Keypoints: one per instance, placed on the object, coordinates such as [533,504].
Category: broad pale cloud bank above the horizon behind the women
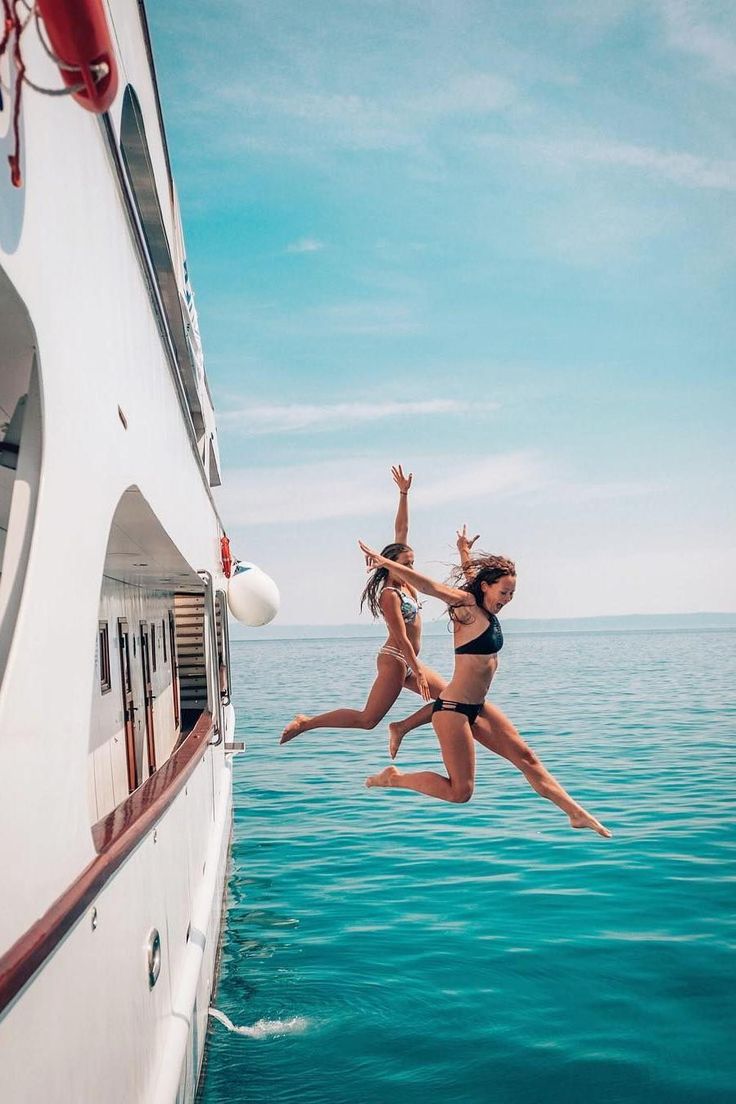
[575,553]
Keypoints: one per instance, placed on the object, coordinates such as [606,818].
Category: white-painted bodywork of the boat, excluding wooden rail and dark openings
[88,1028]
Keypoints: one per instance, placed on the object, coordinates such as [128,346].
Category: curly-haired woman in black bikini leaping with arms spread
[461,714]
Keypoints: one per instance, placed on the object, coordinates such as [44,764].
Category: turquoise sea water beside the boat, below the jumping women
[388,948]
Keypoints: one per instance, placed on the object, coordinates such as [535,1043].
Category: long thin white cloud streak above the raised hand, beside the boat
[266,419]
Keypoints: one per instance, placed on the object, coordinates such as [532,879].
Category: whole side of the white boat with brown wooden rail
[111,528]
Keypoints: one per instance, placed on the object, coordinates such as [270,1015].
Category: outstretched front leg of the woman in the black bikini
[495,731]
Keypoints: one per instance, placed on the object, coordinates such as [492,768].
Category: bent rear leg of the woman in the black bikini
[460,758]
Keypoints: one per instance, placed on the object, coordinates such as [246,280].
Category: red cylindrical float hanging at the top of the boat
[81,40]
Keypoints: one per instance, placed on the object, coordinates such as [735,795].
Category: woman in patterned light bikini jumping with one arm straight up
[398,665]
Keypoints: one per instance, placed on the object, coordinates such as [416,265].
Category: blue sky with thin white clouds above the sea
[493,242]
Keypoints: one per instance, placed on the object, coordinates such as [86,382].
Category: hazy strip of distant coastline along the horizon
[627,623]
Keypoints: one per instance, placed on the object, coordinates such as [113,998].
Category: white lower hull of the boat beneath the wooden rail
[90,1028]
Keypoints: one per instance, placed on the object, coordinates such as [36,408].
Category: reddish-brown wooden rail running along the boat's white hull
[115,837]
